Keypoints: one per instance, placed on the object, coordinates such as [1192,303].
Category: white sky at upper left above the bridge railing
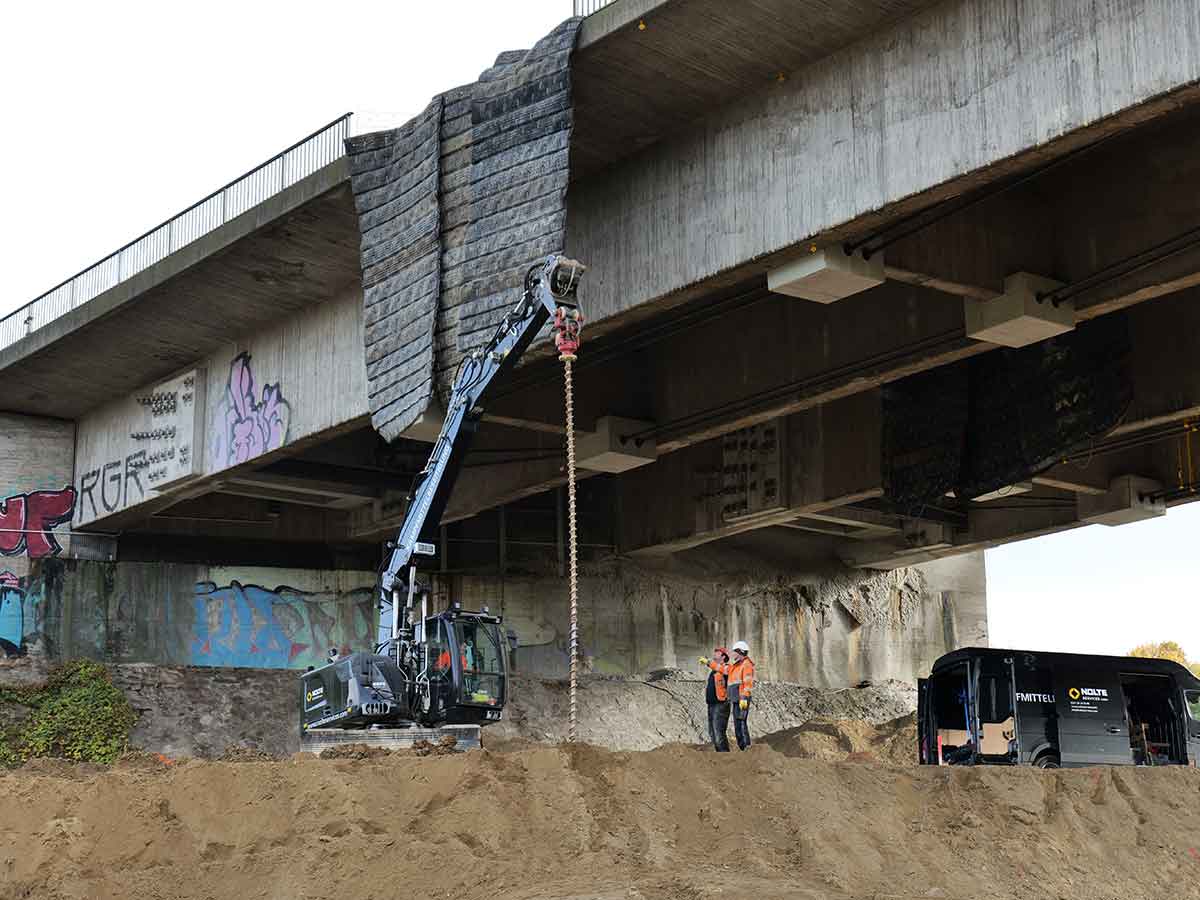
[117,116]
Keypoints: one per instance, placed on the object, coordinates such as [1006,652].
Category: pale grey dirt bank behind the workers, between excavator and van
[669,709]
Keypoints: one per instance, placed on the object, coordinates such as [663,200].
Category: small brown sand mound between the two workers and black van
[836,740]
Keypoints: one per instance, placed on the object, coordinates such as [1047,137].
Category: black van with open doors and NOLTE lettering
[983,706]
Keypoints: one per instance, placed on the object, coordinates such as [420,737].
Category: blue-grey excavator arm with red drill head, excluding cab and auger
[549,295]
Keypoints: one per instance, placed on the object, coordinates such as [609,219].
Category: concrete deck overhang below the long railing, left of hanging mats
[284,256]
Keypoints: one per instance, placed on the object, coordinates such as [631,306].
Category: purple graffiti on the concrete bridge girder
[249,425]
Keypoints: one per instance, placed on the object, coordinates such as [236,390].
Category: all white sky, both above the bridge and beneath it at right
[118,116]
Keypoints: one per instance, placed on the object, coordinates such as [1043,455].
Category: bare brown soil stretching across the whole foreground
[580,823]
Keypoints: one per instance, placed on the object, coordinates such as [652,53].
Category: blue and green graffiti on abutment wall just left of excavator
[285,628]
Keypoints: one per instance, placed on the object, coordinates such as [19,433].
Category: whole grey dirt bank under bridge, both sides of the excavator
[202,711]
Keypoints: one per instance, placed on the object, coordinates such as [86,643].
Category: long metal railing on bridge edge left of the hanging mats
[304,158]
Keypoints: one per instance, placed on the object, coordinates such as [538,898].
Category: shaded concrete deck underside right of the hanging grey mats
[694,57]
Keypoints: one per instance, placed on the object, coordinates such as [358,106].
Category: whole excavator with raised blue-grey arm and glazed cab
[443,669]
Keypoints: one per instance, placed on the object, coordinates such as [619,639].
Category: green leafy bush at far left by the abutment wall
[77,715]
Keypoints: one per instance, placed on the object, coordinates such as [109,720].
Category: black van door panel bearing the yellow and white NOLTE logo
[1093,724]
